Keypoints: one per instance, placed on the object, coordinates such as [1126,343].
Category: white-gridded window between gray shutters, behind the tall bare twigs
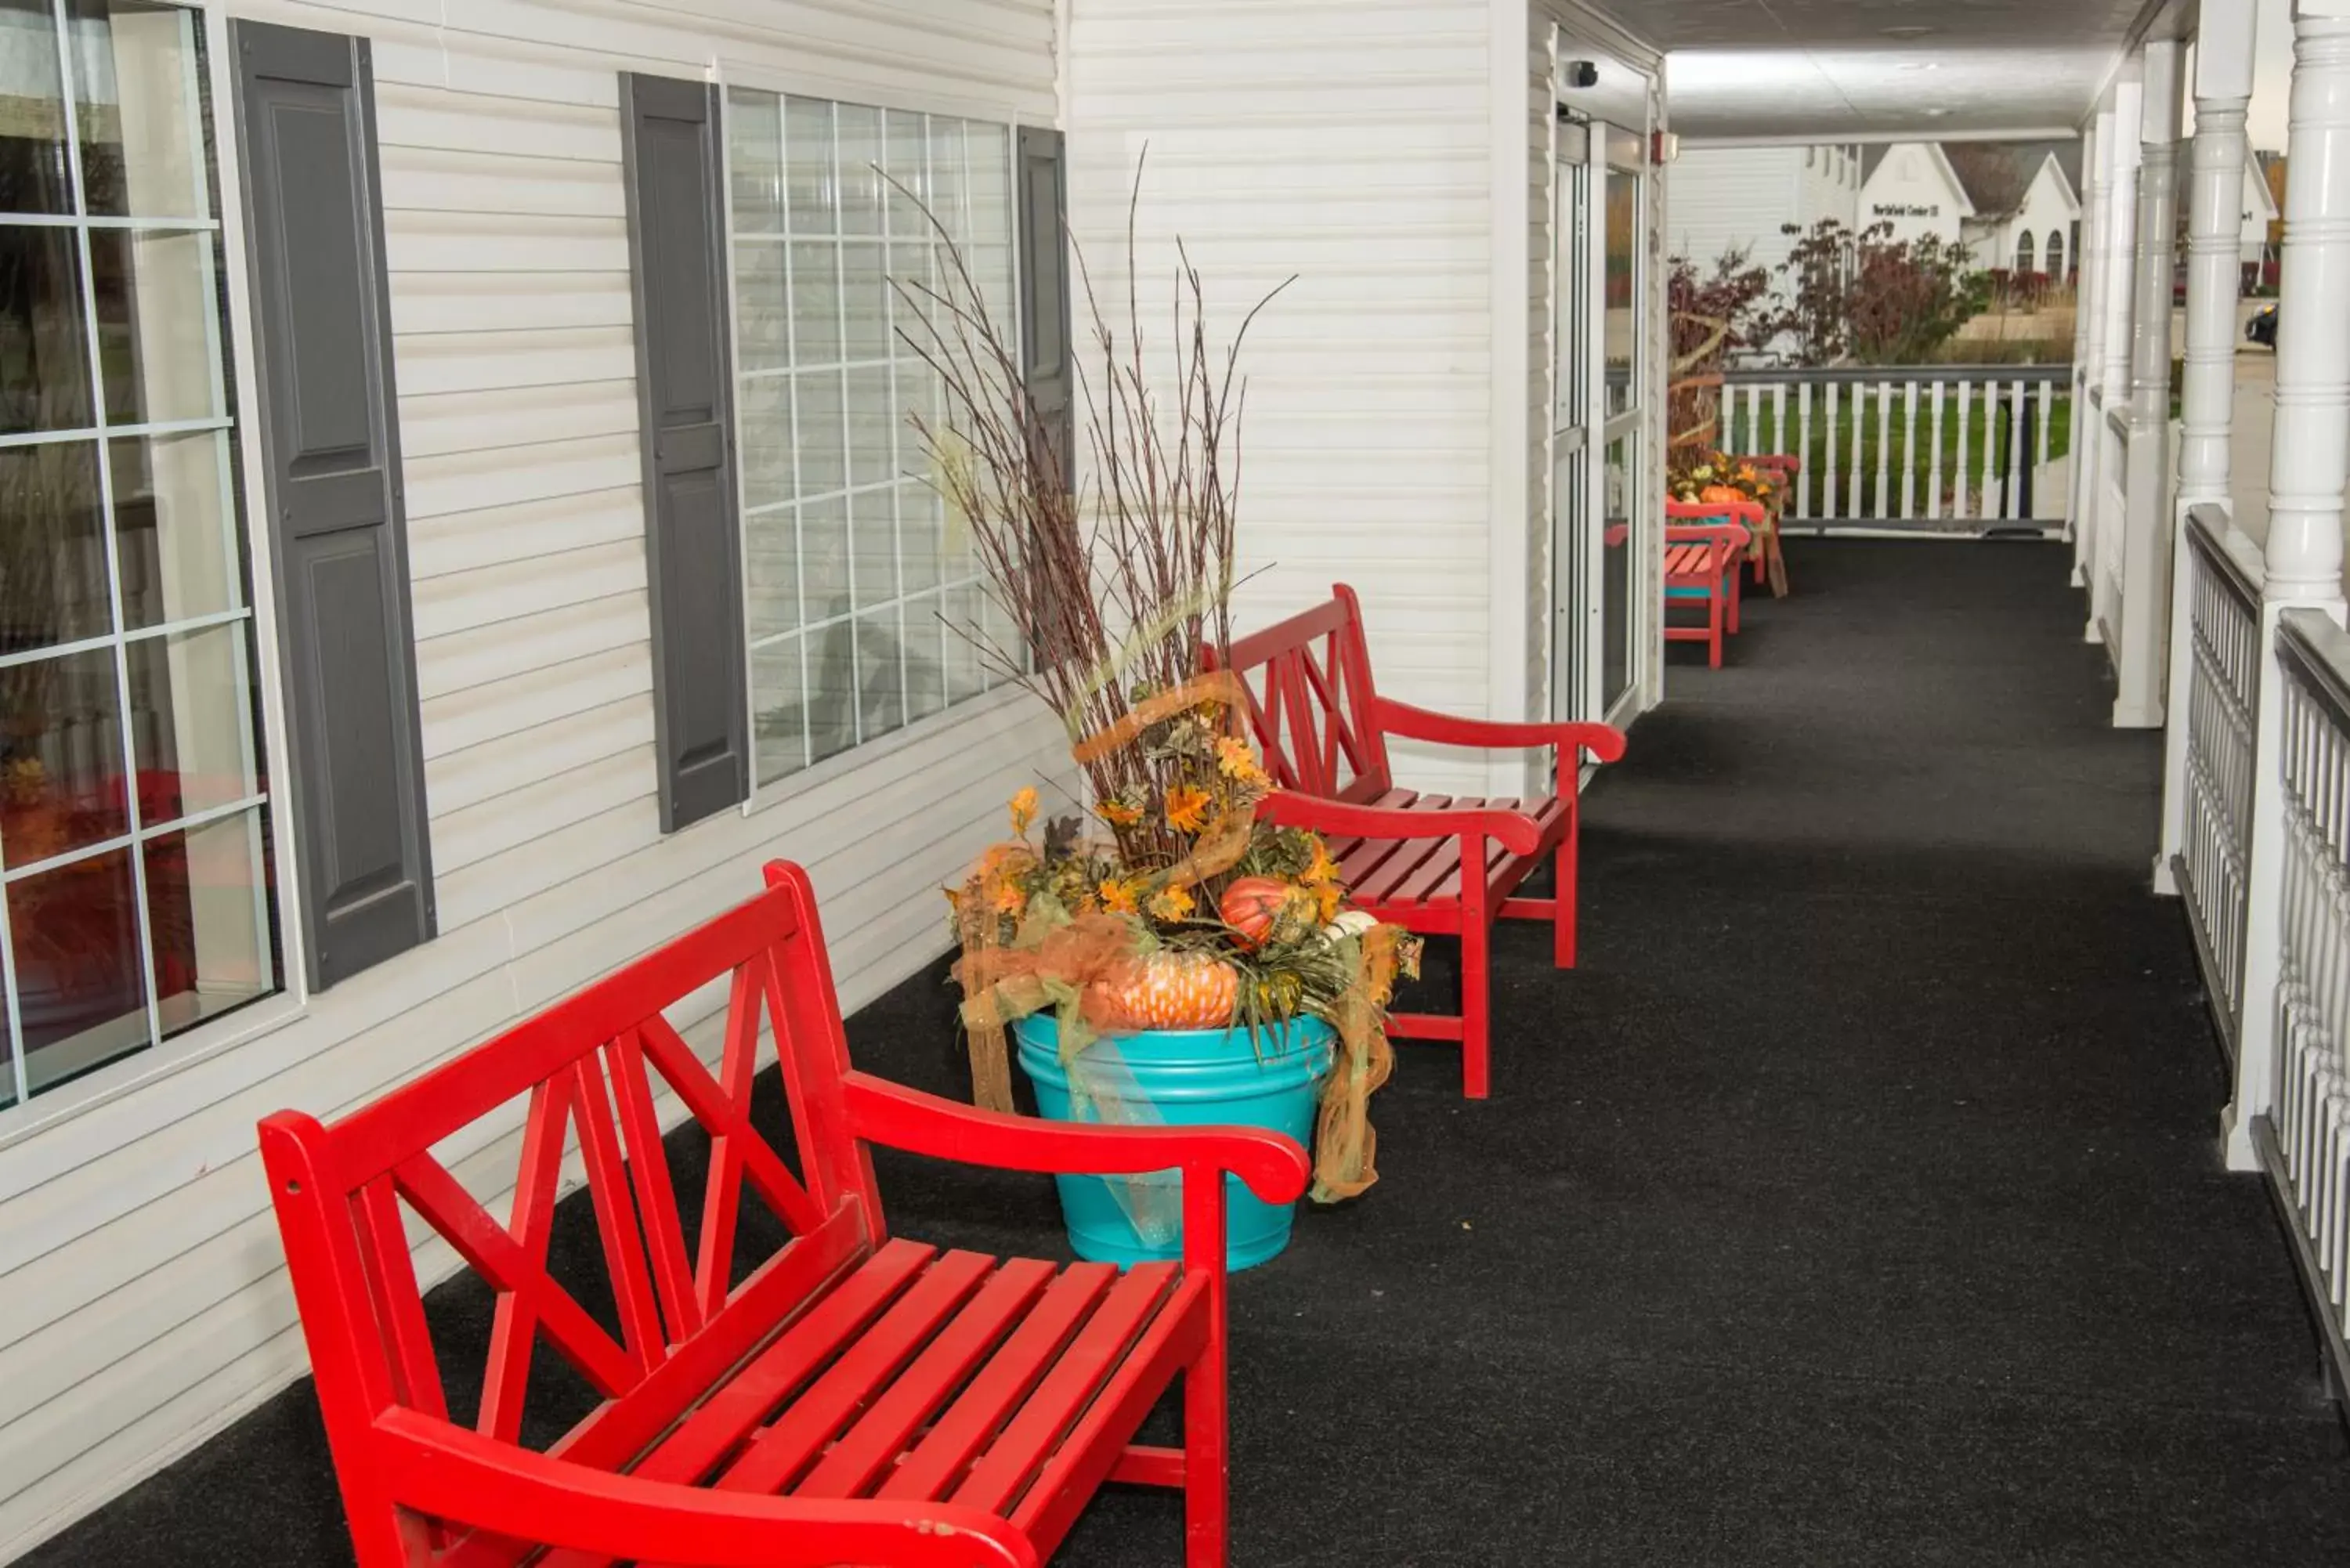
[857,577]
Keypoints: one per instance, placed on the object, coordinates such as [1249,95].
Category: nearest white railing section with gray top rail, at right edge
[2307,1137]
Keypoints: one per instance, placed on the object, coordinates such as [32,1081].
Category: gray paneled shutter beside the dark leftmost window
[337,532]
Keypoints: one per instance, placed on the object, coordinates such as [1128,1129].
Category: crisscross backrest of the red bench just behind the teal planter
[1310,702]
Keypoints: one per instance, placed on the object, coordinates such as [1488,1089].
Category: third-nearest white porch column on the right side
[2147,518]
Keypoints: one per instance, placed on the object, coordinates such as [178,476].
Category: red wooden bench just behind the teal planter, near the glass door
[1324,732]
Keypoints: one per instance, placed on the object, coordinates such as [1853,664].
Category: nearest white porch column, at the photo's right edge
[2307,474]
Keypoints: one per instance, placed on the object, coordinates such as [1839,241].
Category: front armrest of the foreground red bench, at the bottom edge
[471,1480]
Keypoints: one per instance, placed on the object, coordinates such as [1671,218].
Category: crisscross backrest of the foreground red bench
[586,1068]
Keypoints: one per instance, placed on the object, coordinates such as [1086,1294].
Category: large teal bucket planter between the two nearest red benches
[1193,1078]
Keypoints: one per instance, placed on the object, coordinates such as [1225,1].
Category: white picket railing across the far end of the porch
[1945,448]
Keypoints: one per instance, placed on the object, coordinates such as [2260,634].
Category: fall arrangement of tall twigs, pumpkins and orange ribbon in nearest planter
[1162,902]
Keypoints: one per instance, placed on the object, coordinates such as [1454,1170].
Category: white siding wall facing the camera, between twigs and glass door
[1355,149]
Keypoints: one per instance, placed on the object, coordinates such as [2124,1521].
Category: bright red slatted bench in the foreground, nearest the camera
[854,1400]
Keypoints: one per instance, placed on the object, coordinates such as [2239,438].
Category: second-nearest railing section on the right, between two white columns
[2224,692]
